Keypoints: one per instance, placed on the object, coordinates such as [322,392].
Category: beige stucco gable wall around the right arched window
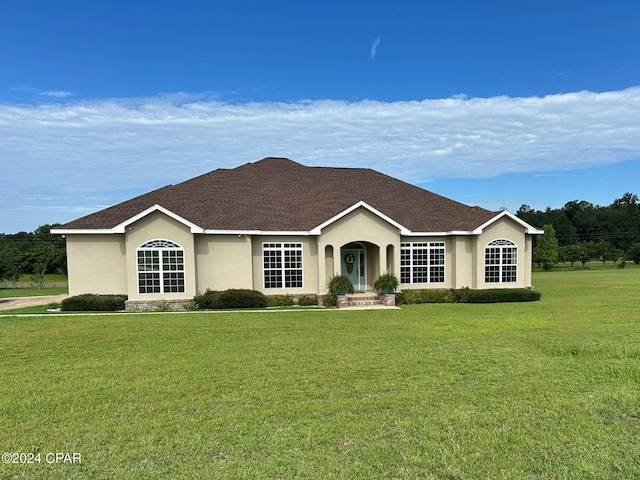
[505,228]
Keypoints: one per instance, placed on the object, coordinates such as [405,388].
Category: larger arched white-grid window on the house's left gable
[160,267]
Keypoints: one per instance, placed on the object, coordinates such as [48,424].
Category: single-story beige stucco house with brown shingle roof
[284,228]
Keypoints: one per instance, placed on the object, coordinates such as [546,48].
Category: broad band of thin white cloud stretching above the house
[86,148]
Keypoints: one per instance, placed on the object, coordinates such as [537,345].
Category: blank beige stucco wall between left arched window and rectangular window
[223,261]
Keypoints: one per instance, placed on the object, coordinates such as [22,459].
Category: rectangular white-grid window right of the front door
[422,262]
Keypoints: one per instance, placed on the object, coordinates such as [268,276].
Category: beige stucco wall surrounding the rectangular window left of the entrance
[309,264]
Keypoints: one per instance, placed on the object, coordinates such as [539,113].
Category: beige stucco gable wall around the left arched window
[159,226]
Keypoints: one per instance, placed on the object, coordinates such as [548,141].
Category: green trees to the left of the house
[35,254]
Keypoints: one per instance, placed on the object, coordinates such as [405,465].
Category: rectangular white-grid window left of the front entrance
[282,265]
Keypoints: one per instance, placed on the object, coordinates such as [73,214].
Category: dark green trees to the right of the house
[584,231]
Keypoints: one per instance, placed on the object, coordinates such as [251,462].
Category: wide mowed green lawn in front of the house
[506,391]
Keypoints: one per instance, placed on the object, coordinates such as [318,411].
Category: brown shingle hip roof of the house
[277,194]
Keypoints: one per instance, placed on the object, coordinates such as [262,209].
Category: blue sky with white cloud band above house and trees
[492,103]
